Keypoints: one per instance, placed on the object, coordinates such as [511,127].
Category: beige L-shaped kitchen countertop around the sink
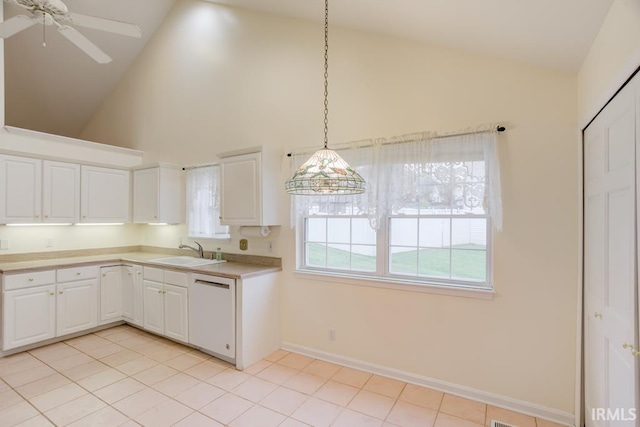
[232,270]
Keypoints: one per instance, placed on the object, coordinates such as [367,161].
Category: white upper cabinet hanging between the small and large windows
[250,187]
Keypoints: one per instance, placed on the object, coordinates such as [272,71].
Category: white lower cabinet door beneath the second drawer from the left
[77,306]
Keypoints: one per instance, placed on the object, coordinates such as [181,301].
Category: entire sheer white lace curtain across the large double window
[417,174]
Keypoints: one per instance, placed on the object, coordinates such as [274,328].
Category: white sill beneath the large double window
[402,285]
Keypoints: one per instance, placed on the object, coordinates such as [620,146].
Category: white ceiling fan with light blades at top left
[55,12]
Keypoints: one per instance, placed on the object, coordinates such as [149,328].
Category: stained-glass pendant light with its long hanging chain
[325,172]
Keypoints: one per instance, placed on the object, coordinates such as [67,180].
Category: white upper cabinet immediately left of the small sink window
[158,195]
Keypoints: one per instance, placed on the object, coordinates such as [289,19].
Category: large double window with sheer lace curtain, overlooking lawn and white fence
[425,219]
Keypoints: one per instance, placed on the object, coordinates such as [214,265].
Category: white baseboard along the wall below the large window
[522,407]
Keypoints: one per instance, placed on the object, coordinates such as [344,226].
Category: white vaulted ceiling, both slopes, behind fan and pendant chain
[57,89]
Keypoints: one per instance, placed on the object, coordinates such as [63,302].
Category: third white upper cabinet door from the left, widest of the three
[104,195]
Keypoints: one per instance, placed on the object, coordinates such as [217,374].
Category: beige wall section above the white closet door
[614,55]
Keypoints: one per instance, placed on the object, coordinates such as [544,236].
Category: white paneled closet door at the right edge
[610,283]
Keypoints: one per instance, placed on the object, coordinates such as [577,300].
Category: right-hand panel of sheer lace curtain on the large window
[449,175]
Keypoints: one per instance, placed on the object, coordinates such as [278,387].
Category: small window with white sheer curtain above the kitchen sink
[203,203]
